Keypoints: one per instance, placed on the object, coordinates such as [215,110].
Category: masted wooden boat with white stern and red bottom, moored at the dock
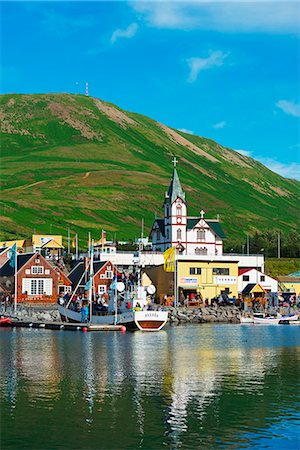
[124,307]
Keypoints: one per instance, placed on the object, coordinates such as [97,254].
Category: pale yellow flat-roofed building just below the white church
[206,278]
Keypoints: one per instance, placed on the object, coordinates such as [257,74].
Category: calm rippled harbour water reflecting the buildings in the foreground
[202,387]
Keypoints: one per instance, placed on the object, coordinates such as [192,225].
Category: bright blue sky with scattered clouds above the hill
[228,71]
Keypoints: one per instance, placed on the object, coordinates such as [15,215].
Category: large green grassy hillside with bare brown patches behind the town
[71,160]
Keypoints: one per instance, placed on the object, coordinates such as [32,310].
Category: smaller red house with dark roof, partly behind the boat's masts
[104,272]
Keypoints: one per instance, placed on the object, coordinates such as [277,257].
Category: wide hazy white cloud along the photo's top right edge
[234,16]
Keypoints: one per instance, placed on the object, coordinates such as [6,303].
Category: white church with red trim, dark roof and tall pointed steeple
[190,235]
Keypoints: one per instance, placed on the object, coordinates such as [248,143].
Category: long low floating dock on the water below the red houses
[63,326]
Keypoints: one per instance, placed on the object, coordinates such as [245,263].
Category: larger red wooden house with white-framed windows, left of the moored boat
[37,280]
